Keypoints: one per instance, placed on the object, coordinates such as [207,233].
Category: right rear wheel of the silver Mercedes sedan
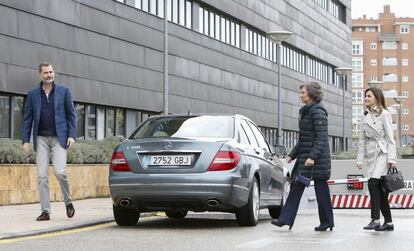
[249,214]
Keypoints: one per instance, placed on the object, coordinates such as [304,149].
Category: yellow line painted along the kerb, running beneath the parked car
[65,232]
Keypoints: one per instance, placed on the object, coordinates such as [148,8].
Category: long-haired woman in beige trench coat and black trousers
[376,145]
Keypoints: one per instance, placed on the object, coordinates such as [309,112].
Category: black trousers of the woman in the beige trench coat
[379,200]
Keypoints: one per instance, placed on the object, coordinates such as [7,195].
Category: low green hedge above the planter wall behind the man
[83,152]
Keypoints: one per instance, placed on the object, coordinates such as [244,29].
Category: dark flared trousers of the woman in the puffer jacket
[323,198]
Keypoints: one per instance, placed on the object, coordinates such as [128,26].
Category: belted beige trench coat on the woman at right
[376,143]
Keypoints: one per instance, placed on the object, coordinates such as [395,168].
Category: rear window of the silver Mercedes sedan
[187,127]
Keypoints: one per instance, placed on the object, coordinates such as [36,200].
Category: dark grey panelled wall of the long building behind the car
[111,54]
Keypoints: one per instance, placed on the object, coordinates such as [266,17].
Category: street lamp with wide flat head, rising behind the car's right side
[278,37]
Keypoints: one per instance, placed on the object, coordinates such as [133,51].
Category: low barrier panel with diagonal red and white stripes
[363,201]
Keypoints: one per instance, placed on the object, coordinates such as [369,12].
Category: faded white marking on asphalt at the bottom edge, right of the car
[263,242]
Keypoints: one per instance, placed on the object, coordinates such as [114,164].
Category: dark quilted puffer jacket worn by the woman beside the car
[313,143]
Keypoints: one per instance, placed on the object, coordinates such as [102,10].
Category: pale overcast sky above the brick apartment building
[401,8]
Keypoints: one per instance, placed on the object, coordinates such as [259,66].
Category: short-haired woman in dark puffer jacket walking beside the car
[313,159]
